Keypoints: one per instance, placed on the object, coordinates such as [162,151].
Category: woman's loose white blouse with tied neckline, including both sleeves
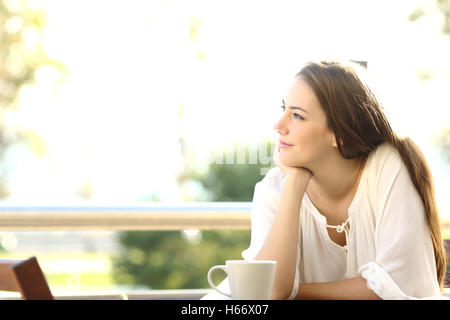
[388,242]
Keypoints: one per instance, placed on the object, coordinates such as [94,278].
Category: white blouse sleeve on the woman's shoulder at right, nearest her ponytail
[404,267]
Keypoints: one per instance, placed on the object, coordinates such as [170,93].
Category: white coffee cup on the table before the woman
[249,279]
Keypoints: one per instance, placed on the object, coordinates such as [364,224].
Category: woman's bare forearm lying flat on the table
[348,289]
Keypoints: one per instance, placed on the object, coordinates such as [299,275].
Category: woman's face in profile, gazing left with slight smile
[303,125]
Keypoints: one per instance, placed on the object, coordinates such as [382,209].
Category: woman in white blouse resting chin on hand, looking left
[349,211]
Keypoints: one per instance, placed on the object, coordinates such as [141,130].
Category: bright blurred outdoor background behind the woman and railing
[131,101]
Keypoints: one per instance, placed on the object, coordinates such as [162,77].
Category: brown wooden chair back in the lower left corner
[26,277]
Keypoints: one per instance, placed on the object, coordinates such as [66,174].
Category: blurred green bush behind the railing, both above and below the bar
[172,260]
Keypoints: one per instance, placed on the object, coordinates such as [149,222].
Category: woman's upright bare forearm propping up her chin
[281,242]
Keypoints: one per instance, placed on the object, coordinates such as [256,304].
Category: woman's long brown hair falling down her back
[360,125]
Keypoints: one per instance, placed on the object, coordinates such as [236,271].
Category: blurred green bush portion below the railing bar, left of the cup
[169,260]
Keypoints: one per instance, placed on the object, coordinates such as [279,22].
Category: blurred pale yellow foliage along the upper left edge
[21,55]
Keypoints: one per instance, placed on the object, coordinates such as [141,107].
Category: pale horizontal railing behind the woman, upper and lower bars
[149,216]
